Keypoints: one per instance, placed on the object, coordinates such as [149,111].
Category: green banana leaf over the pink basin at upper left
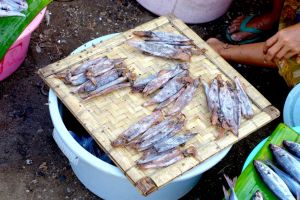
[12,27]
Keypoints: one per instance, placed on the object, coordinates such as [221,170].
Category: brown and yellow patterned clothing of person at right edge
[289,69]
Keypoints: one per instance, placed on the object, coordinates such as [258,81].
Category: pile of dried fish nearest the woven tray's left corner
[97,77]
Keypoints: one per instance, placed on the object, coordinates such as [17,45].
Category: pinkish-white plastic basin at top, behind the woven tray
[190,11]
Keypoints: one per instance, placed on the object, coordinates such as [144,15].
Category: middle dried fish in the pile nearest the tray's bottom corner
[164,133]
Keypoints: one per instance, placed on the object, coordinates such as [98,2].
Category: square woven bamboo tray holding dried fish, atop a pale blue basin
[106,117]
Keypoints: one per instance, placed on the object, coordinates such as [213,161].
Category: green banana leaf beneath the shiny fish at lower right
[249,181]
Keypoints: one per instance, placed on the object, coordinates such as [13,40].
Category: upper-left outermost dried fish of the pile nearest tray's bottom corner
[138,128]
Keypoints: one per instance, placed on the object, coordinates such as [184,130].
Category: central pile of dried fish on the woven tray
[176,85]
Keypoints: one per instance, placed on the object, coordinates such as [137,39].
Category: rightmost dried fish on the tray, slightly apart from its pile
[246,105]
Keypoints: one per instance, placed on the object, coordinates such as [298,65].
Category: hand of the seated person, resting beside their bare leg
[284,44]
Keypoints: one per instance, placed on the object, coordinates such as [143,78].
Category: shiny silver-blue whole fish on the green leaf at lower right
[284,180]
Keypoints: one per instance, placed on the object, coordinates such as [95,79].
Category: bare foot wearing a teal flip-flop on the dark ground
[263,22]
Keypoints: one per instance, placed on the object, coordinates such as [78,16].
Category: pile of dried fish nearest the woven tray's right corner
[227,104]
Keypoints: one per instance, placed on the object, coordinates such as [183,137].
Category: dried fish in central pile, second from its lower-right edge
[170,88]
